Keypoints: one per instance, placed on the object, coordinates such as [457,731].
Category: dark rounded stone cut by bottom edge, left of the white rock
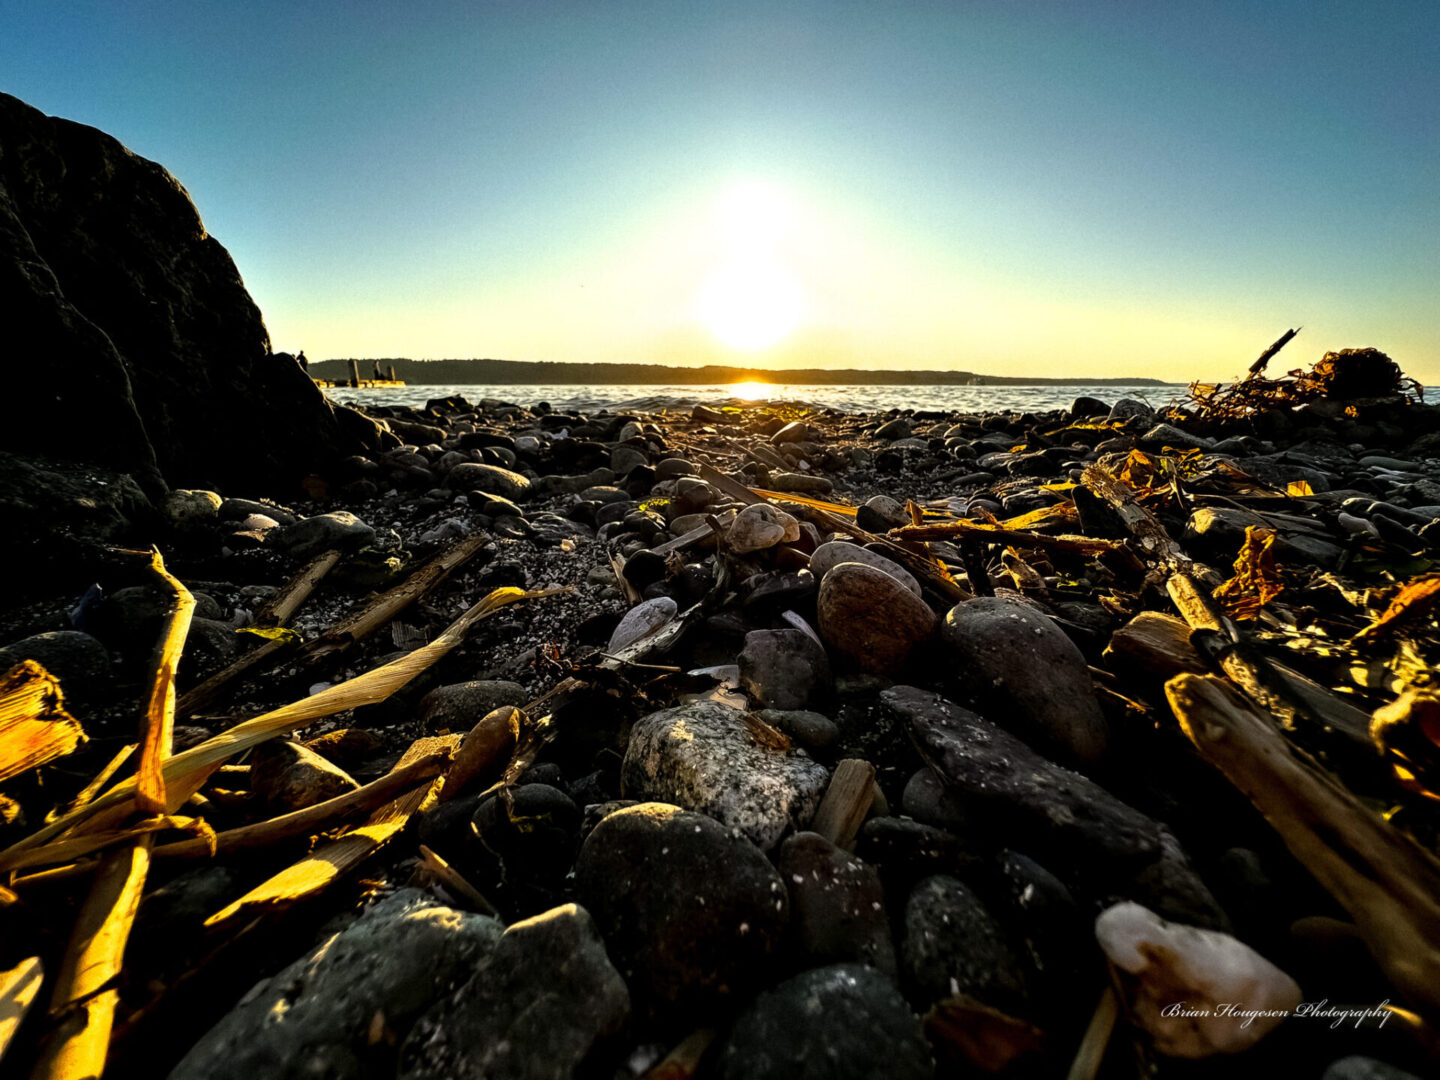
[842,1023]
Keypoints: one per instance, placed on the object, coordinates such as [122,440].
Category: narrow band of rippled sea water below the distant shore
[842,398]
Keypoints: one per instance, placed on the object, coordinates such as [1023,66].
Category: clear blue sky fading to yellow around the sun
[1091,188]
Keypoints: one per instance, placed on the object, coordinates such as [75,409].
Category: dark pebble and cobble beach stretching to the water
[758,787]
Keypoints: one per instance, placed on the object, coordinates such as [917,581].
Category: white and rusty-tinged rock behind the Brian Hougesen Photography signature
[1199,993]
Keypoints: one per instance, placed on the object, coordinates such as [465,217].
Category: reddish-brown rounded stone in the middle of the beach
[872,618]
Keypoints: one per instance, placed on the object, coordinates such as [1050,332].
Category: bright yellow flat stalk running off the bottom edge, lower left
[86,996]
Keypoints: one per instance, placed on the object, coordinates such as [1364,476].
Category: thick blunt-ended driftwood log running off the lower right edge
[1389,885]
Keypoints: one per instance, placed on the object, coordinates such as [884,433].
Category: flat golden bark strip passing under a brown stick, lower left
[323,868]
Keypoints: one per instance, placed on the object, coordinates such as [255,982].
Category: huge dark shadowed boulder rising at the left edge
[133,341]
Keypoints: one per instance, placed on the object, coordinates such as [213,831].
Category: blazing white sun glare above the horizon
[752,300]
